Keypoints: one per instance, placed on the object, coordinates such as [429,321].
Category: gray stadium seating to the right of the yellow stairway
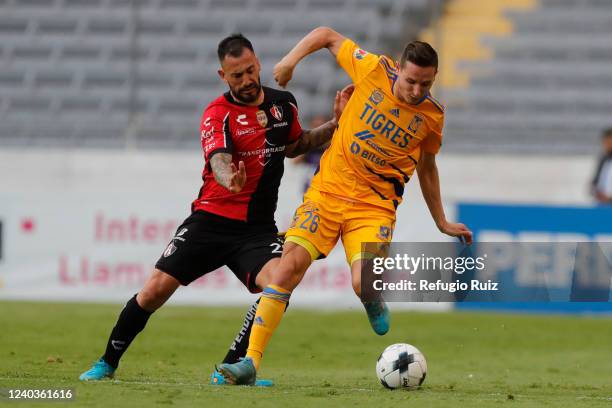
[548,88]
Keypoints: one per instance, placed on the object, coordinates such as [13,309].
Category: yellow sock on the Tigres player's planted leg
[269,314]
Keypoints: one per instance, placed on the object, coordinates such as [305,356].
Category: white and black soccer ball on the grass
[401,366]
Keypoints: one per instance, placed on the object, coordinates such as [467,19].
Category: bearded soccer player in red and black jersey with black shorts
[246,134]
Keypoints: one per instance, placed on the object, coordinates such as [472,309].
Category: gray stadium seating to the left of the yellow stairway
[138,73]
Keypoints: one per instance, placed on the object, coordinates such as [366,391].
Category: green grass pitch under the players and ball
[316,358]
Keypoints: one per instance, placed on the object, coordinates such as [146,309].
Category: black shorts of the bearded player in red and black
[206,242]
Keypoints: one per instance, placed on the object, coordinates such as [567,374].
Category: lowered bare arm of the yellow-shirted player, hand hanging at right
[429,180]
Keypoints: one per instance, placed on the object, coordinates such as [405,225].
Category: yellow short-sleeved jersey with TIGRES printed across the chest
[379,139]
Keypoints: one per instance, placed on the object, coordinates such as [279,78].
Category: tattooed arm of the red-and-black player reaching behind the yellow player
[314,138]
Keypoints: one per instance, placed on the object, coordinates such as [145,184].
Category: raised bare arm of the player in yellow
[320,37]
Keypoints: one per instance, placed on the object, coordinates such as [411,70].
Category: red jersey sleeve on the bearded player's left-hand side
[215,132]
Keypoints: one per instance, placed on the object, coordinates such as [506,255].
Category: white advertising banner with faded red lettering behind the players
[90,225]
